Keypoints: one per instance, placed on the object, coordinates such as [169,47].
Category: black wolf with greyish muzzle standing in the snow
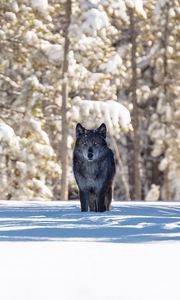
[94,168]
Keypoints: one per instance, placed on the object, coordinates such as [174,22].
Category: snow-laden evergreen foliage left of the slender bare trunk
[28,161]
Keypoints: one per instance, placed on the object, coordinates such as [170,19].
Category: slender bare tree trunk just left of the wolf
[64,126]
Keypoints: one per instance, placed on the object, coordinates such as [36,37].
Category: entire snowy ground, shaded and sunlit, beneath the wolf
[50,250]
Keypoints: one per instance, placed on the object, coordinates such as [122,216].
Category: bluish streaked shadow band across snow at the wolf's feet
[123,224]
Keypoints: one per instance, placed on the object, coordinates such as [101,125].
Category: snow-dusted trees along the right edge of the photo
[163,129]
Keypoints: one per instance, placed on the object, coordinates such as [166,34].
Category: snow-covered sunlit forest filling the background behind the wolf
[89,61]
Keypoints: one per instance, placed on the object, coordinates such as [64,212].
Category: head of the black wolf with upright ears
[91,143]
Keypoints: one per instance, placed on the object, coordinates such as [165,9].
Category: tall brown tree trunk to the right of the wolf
[135,116]
